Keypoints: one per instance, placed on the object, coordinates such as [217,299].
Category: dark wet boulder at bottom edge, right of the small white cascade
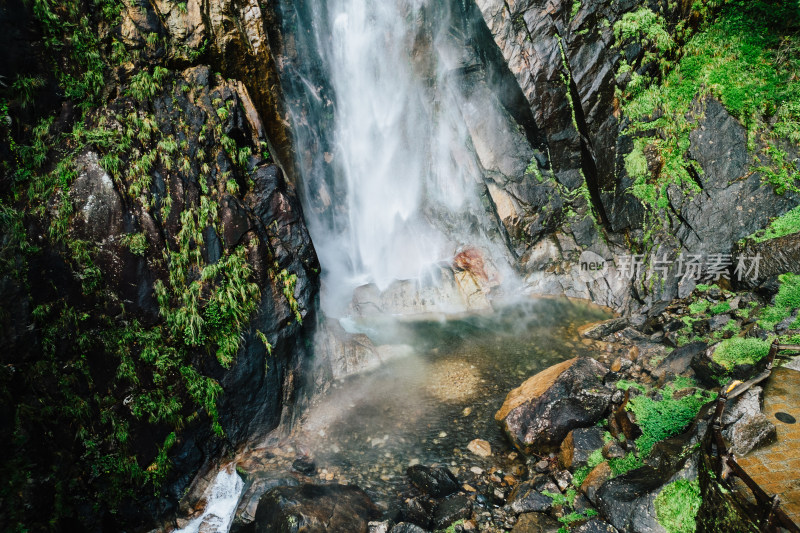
[315,509]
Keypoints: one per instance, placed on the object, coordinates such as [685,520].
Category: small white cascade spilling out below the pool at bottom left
[222,497]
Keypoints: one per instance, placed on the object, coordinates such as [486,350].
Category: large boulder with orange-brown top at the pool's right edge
[540,413]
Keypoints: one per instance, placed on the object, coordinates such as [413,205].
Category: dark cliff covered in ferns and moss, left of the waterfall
[157,277]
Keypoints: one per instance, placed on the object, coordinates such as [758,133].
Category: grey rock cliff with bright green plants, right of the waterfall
[668,131]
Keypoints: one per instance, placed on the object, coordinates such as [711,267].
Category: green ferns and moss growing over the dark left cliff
[108,383]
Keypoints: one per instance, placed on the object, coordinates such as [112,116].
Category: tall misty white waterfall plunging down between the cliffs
[397,135]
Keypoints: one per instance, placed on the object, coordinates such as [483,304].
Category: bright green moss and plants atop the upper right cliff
[748,57]
